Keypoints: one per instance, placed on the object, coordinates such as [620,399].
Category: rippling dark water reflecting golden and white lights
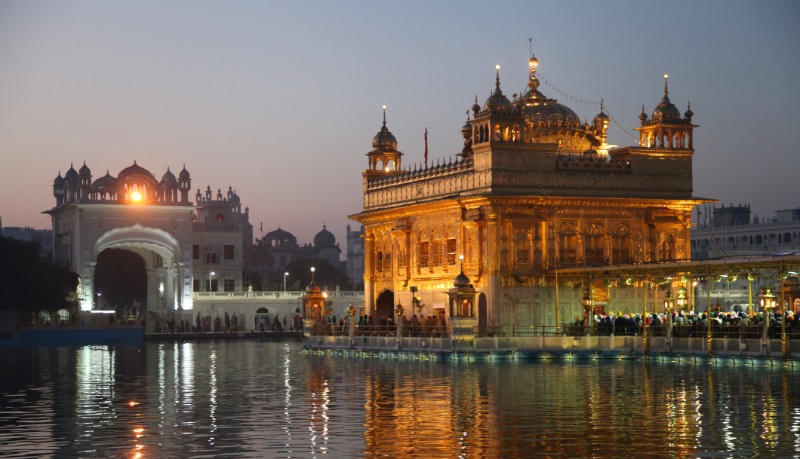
[267,399]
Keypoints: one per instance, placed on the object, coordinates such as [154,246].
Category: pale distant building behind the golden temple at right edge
[728,232]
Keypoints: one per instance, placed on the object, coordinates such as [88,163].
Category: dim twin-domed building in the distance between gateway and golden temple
[277,249]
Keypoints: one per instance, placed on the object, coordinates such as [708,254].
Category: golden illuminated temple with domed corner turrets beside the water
[533,190]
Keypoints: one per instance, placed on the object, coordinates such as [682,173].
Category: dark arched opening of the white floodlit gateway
[121,284]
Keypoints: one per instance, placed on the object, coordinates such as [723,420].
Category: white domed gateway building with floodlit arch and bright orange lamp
[184,247]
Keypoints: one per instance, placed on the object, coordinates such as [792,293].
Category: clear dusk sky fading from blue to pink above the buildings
[281,100]
